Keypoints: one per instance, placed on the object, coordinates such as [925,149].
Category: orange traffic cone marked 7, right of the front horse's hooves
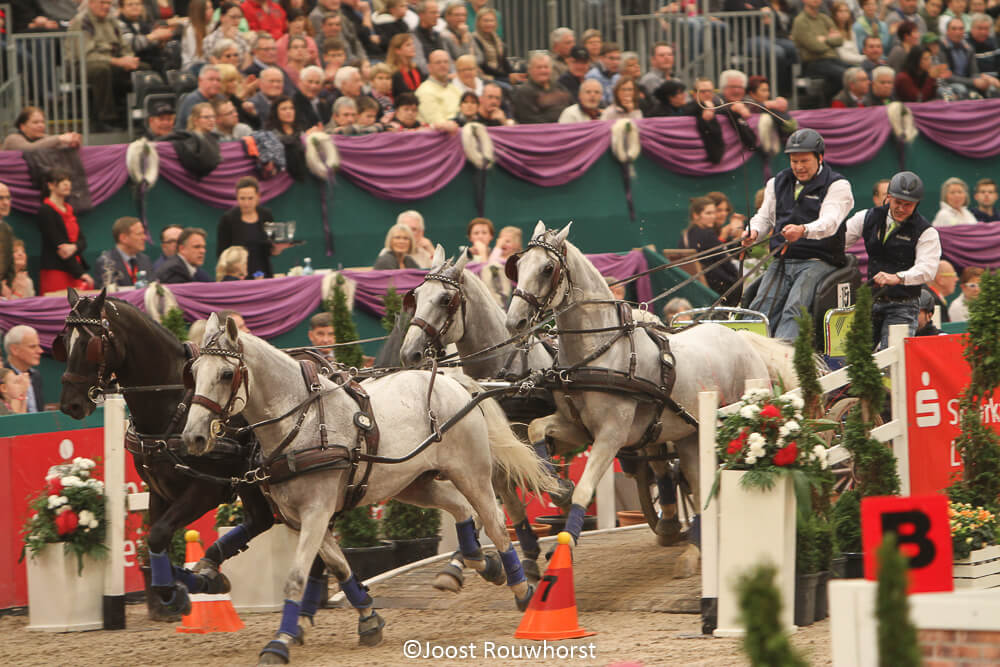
[552,612]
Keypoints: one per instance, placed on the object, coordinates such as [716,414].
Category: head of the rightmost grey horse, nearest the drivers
[540,272]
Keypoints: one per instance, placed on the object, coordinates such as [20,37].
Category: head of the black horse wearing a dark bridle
[92,349]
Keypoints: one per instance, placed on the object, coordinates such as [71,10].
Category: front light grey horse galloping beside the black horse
[305,411]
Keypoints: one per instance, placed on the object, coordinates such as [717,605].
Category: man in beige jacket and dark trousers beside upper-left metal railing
[109,60]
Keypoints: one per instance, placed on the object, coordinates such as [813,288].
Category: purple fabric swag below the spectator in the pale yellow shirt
[401,166]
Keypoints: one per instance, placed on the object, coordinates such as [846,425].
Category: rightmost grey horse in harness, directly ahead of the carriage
[552,273]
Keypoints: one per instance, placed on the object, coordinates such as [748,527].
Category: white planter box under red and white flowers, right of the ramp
[755,527]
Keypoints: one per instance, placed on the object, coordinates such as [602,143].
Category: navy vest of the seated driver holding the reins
[791,211]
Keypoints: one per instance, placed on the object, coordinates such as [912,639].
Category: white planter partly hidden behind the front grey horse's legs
[258,574]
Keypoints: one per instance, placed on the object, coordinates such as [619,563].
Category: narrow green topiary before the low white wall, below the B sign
[897,636]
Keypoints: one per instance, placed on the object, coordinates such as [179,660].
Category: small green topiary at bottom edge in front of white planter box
[765,643]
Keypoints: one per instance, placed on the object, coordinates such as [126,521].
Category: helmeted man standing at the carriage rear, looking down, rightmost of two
[903,253]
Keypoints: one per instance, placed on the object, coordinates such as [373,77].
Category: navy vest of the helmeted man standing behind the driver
[897,253]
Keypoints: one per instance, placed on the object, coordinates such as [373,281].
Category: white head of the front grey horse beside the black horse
[220,381]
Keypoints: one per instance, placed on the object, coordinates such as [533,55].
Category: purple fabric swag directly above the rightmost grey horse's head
[545,157]
